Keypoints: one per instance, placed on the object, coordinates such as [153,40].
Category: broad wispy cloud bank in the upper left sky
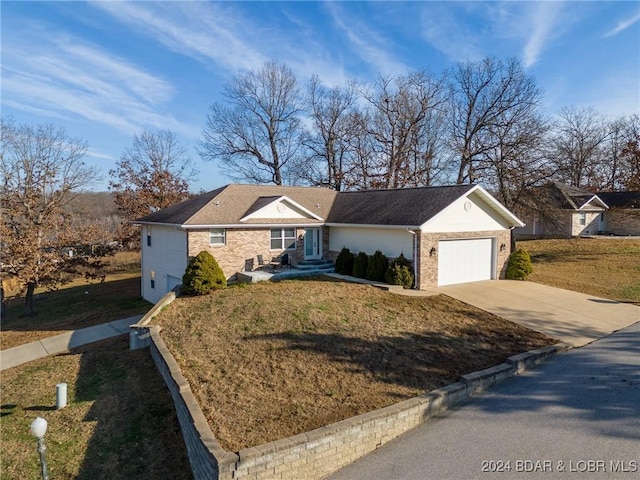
[61,76]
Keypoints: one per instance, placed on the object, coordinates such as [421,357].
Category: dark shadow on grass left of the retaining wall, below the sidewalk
[136,433]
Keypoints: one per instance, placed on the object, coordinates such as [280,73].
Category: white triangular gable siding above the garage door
[477,216]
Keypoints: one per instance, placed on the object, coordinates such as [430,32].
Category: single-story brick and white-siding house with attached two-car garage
[452,234]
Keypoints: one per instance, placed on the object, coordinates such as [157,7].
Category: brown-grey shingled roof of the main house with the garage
[227,205]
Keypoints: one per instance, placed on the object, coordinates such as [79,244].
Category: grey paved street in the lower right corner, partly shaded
[576,416]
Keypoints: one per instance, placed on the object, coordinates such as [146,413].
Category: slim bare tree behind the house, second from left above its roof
[329,141]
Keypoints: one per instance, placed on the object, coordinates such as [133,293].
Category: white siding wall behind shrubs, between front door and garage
[391,242]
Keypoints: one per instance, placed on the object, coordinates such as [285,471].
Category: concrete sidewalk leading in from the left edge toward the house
[15,356]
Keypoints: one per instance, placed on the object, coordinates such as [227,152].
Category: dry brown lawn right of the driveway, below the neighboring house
[608,268]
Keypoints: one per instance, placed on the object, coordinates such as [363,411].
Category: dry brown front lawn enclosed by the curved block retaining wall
[271,360]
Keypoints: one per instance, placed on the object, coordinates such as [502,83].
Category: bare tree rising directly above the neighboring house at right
[577,147]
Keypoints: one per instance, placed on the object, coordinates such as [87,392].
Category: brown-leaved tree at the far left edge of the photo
[42,171]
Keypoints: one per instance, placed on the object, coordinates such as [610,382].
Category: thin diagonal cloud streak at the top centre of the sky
[372,47]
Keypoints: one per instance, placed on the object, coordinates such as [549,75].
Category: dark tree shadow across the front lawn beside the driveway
[421,361]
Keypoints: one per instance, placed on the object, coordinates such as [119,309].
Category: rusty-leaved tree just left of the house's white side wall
[153,173]
